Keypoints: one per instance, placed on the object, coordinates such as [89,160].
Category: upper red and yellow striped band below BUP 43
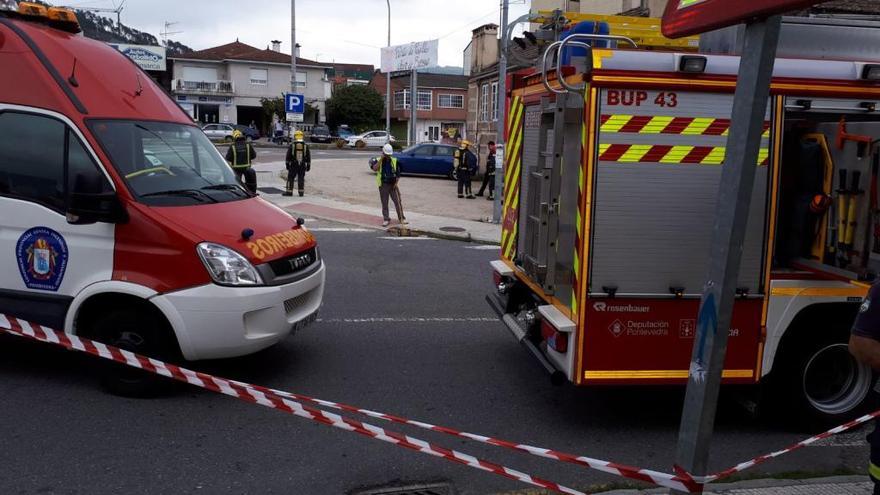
[665,124]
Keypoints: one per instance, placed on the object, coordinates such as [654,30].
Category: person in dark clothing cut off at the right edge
[864,344]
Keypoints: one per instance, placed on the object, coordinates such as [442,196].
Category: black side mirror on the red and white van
[92,203]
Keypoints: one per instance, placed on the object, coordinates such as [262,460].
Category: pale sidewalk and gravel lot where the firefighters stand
[344,190]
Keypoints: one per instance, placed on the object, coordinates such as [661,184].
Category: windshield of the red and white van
[167,164]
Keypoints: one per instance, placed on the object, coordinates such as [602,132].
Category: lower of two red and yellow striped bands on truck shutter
[647,153]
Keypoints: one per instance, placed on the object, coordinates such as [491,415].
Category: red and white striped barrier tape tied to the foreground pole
[277,399]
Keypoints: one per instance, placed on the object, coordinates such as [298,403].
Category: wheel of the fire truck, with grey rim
[823,382]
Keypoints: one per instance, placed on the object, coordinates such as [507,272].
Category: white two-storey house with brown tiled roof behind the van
[226,83]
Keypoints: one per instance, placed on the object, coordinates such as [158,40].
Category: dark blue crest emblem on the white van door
[42,258]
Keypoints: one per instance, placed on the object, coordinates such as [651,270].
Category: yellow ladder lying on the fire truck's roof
[643,30]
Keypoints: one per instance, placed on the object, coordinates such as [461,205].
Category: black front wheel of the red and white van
[137,330]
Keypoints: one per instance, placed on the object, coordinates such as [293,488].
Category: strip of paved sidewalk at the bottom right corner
[835,485]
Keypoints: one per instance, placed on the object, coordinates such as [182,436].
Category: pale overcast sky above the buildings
[329,30]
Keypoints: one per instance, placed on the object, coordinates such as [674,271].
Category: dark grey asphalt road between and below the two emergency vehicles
[59,433]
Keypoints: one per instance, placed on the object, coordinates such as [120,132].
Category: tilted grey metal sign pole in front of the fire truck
[731,215]
